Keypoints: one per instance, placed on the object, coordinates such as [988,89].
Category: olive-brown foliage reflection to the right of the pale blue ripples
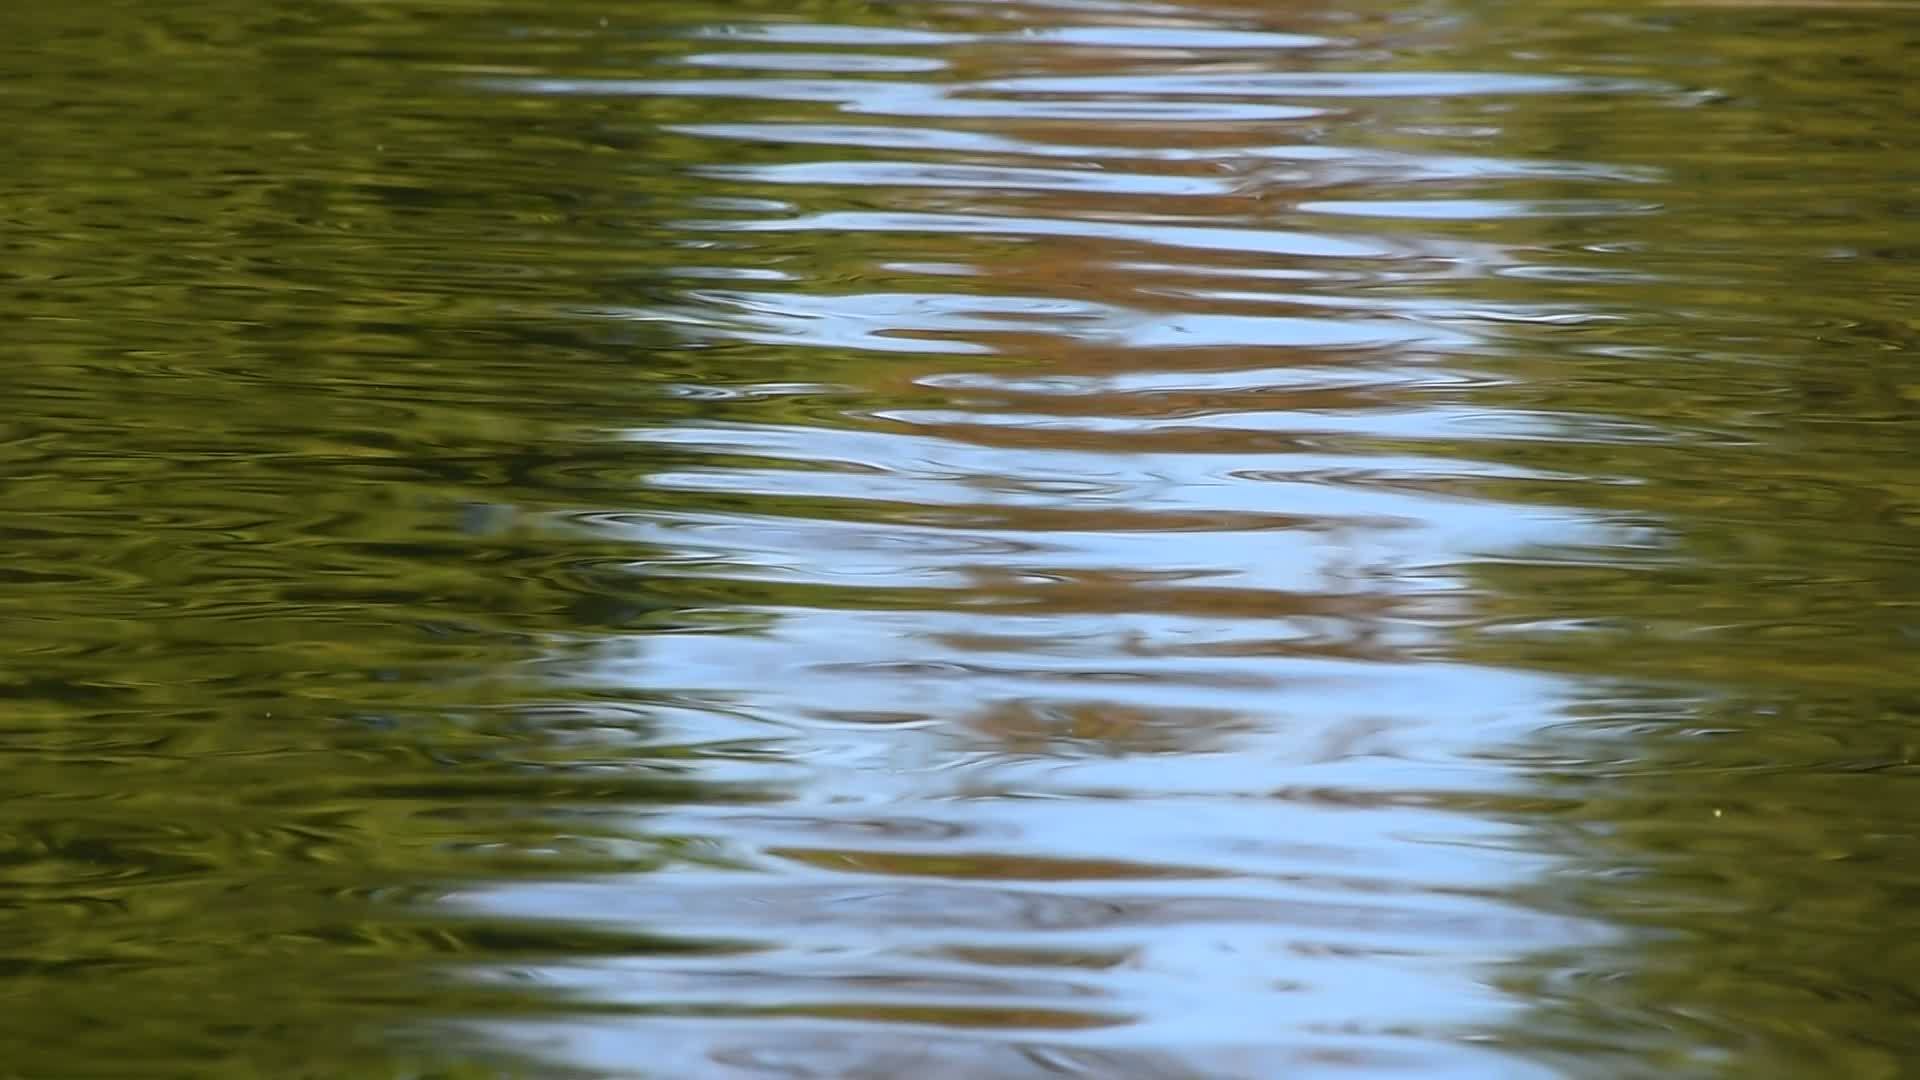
[1735,795]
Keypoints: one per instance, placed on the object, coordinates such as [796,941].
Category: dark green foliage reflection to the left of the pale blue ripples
[297,416]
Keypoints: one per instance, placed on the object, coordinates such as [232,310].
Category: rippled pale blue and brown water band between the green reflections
[1105,601]
